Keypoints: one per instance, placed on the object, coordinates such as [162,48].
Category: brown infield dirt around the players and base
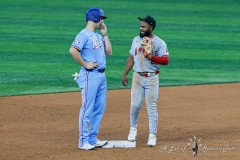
[46,126]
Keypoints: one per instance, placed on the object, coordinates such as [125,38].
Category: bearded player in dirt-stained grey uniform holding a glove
[147,53]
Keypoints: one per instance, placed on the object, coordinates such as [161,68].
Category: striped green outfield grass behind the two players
[35,36]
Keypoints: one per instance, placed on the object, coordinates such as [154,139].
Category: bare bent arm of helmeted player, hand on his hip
[78,58]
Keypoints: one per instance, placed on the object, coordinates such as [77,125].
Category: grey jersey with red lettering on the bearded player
[142,64]
